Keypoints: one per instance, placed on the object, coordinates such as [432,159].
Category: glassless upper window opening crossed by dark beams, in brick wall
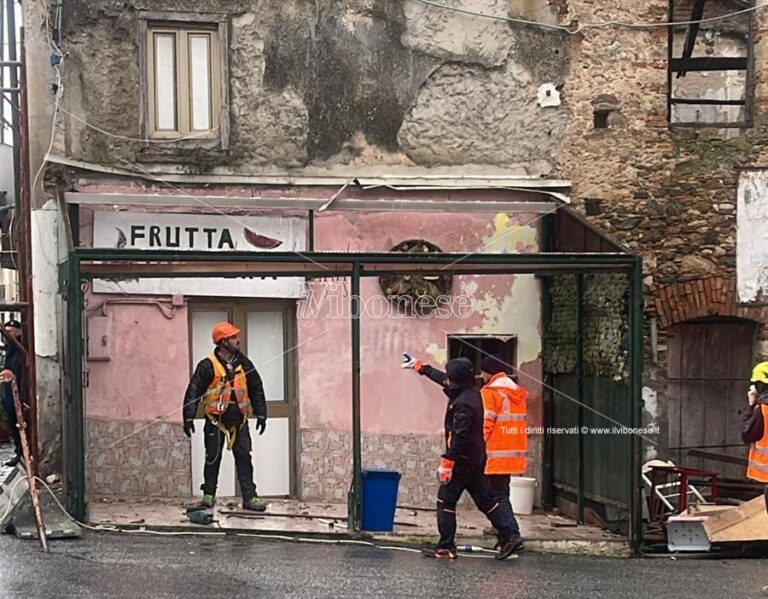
[710,72]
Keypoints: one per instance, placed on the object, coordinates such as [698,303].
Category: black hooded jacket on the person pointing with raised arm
[464,414]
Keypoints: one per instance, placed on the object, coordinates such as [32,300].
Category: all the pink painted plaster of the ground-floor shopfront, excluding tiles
[150,367]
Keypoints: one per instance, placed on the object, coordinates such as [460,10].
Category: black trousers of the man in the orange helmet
[215,445]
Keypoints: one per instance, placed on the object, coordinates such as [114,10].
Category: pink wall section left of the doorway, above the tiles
[149,370]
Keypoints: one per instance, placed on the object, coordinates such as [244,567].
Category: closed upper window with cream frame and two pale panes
[183,78]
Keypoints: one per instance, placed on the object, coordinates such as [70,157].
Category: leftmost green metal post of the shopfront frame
[74,435]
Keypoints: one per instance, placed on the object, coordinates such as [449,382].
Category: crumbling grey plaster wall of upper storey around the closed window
[327,85]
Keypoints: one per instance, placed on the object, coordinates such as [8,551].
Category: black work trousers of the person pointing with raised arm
[471,478]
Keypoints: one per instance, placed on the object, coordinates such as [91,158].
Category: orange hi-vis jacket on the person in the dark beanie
[506,441]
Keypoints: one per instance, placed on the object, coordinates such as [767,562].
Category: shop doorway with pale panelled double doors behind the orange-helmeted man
[268,331]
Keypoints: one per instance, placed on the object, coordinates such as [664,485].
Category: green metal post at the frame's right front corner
[636,330]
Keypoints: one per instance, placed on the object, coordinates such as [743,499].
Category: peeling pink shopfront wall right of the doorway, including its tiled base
[402,413]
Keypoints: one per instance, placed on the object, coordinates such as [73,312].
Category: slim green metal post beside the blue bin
[354,502]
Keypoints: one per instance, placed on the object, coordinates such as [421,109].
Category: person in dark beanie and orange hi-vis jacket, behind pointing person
[504,427]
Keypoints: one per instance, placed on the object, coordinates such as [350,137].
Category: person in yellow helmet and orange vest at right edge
[755,430]
